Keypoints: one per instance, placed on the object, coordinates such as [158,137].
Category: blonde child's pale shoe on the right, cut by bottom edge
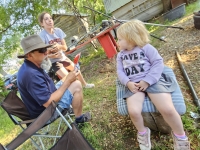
[180,144]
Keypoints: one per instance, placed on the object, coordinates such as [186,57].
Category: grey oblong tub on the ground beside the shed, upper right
[175,13]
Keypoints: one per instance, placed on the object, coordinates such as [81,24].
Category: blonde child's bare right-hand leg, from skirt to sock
[163,103]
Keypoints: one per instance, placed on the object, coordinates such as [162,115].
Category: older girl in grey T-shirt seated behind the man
[55,36]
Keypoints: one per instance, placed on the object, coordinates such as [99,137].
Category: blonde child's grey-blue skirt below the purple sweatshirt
[165,84]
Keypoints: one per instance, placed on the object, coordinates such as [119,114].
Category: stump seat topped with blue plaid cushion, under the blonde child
[152,118]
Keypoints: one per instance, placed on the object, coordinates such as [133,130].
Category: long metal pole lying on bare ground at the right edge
[194,95]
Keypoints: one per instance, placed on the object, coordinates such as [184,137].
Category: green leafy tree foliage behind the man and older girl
[19,19]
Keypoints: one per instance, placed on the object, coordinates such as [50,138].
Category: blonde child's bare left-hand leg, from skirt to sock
[134,104]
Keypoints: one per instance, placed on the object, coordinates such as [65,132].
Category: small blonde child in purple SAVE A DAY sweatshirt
[139,67]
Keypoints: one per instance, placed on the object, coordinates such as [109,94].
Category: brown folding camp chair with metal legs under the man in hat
[13,105]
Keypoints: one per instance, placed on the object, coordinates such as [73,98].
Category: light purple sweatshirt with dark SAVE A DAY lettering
[139,64]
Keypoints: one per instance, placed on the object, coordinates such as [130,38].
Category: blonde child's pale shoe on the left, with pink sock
[144,140]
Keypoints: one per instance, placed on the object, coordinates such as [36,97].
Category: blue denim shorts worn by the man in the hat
[66,99]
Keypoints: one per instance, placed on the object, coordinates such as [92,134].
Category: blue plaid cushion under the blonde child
[148,106]
